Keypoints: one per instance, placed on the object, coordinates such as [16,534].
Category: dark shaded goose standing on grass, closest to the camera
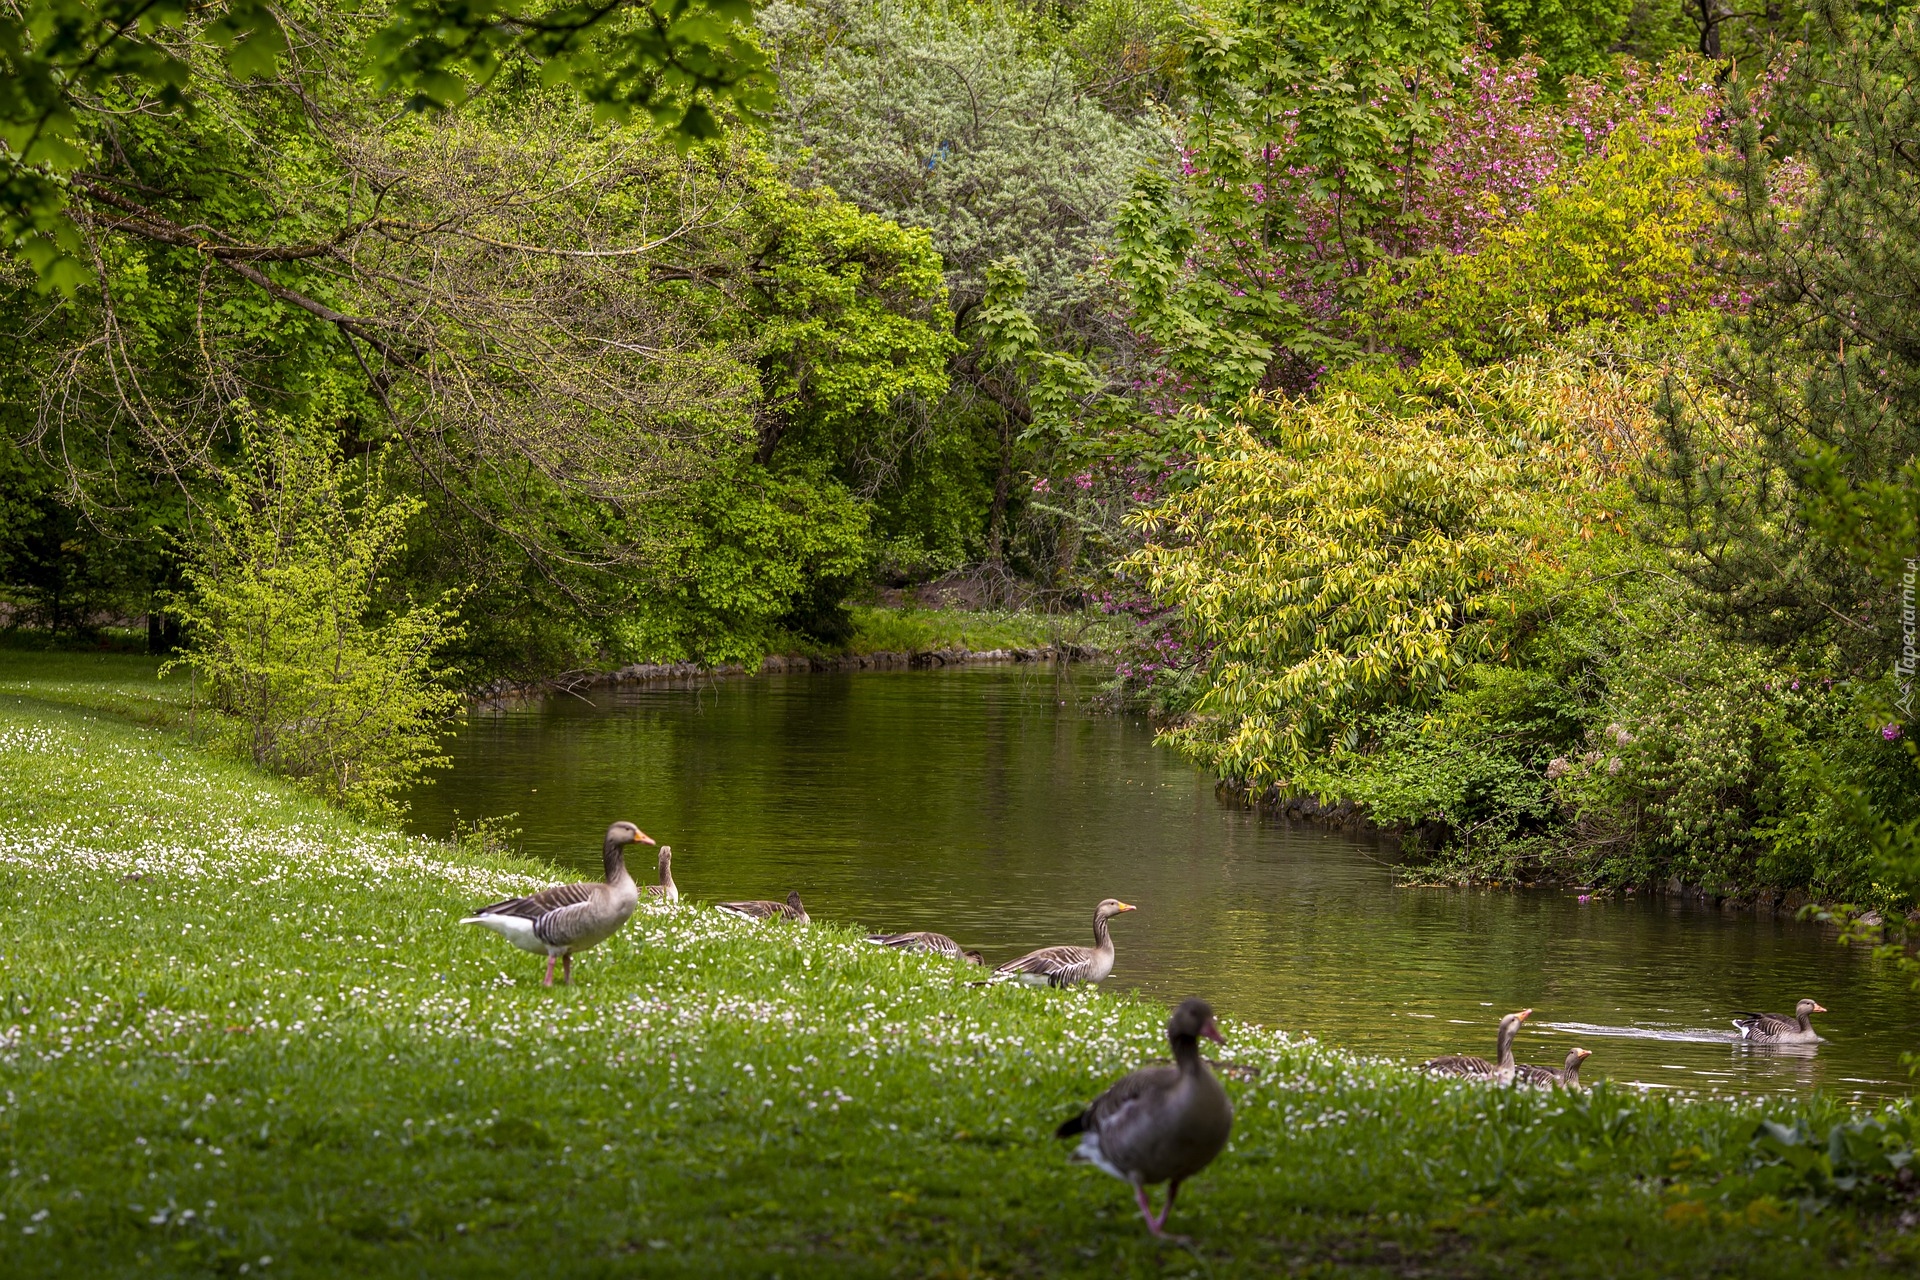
[1159,1124]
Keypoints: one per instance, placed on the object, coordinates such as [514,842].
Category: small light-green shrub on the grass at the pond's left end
[308,675]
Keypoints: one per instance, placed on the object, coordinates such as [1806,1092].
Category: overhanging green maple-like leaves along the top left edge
[70,66]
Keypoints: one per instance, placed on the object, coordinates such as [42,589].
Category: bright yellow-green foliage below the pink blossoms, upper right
[1612,241]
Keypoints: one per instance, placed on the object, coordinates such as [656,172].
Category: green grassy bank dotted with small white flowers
[241,1028]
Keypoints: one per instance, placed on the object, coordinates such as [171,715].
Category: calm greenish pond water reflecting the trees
[997,807]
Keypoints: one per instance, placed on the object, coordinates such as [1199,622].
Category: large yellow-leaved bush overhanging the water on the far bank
[1343,556]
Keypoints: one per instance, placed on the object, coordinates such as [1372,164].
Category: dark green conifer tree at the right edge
[1798,527]
